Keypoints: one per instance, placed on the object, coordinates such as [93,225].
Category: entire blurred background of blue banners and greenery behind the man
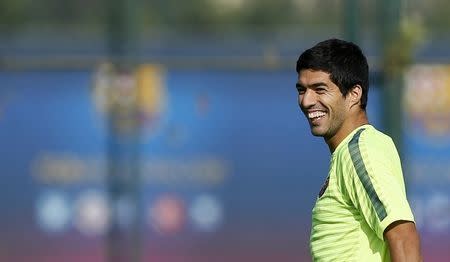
[170,130]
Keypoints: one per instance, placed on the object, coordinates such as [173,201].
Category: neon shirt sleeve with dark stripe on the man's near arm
[375,183]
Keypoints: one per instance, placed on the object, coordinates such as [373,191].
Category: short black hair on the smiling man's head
[344,61]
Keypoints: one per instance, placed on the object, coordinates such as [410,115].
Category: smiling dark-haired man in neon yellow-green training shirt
[361,213]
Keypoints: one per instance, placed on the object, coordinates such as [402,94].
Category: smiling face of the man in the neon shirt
[322,103]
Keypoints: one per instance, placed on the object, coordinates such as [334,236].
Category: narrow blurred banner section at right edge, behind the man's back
[427,155]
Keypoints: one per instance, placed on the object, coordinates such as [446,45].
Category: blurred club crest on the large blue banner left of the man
[133,100]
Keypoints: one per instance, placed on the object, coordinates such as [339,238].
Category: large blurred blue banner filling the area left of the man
[228,170]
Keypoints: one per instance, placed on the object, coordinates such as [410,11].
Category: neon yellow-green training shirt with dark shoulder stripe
[363,194]
